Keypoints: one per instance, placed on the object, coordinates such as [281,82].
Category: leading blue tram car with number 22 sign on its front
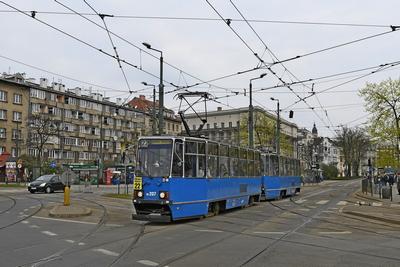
[186,177]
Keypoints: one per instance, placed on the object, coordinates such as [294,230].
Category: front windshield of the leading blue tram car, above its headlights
[154,157]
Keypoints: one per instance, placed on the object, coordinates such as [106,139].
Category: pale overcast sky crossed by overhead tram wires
[196,41]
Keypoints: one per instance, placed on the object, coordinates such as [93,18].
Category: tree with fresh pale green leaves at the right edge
[383,102]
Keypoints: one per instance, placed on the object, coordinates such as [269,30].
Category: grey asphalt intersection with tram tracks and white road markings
[307,230]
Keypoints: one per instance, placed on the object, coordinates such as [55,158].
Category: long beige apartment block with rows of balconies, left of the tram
[79,126]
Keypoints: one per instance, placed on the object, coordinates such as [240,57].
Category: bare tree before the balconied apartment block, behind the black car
[42,129]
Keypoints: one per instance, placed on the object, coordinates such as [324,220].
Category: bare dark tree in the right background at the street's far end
[354,144]
